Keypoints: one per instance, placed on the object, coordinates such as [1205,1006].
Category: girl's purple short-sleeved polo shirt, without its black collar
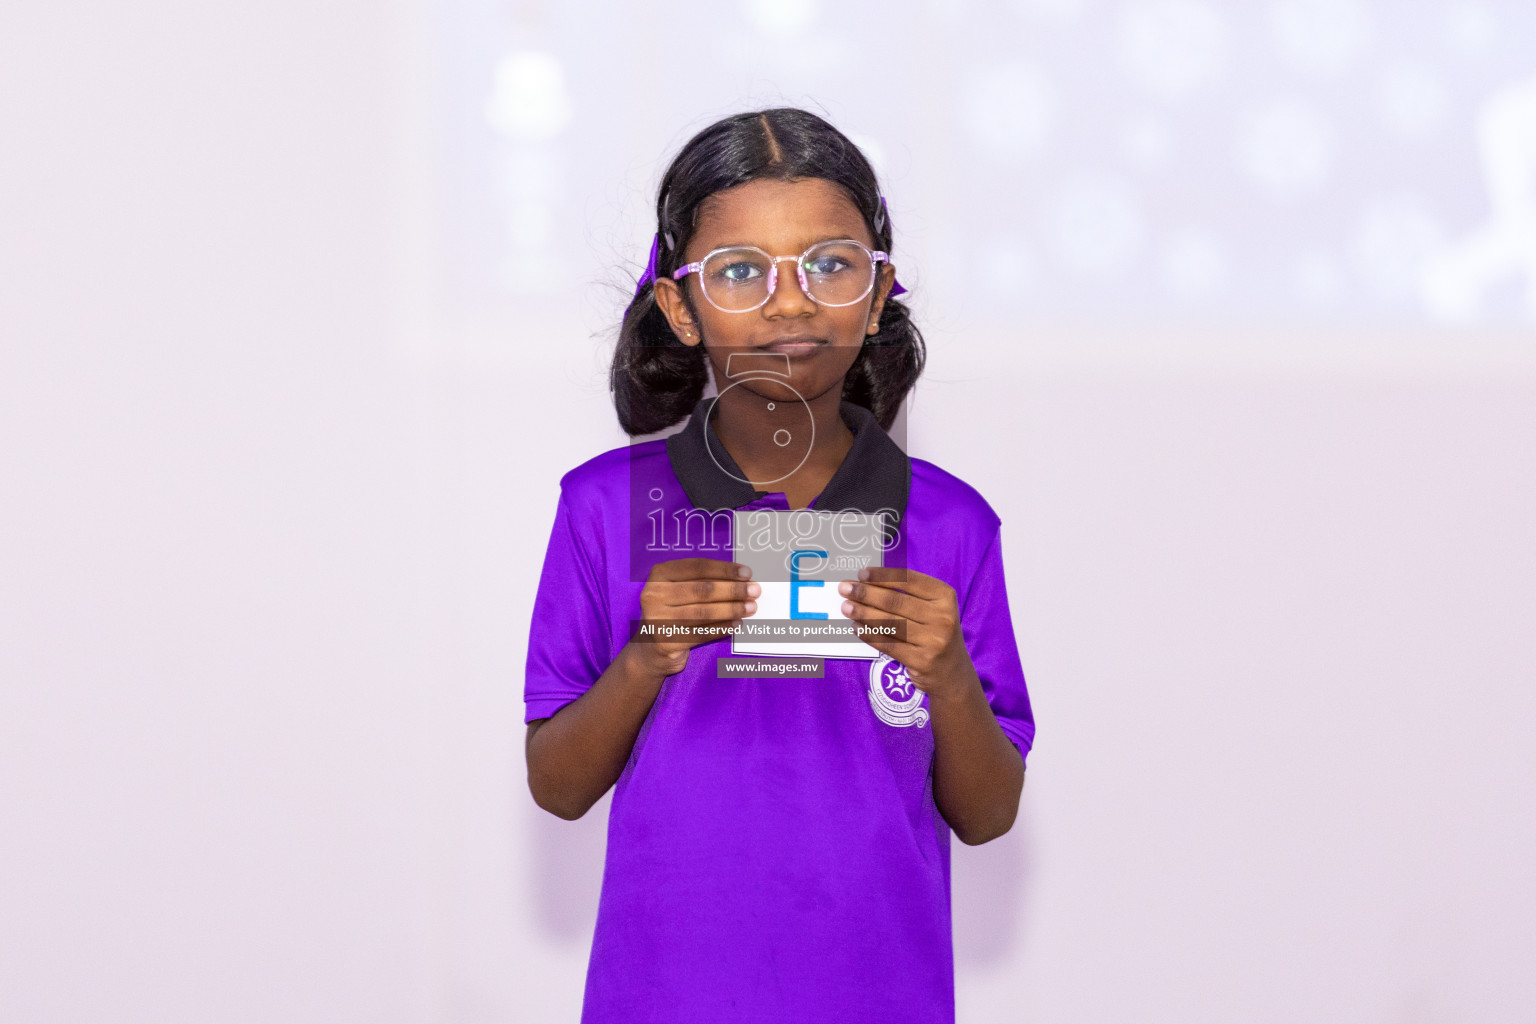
[775,850]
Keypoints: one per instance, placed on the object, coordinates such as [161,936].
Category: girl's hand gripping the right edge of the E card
[935,650]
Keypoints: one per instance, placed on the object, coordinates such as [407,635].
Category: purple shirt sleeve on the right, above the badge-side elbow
[988,632]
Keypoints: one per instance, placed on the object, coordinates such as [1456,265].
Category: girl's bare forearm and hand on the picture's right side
[979,773]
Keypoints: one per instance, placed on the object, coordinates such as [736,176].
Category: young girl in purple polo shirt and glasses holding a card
[778,848]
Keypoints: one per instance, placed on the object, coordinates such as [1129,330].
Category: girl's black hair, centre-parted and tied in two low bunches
[657,380]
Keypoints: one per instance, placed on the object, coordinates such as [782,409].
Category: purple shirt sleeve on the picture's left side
[569,644]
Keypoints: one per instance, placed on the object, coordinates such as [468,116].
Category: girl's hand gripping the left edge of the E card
[707,595]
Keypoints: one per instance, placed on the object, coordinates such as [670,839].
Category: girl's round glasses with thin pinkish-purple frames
[741,279]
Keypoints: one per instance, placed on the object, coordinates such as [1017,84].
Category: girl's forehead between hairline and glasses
[776,214]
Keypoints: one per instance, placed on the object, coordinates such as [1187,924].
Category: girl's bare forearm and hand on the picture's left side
[581,751]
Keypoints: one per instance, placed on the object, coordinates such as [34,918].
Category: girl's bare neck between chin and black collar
[747,426]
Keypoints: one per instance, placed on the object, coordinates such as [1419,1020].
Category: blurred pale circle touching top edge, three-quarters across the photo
[1173,48]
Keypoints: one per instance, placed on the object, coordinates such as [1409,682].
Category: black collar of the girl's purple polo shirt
[876,475]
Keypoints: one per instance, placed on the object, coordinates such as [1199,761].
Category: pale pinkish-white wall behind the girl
[280,437]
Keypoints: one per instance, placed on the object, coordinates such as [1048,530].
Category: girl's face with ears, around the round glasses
[784,219]
